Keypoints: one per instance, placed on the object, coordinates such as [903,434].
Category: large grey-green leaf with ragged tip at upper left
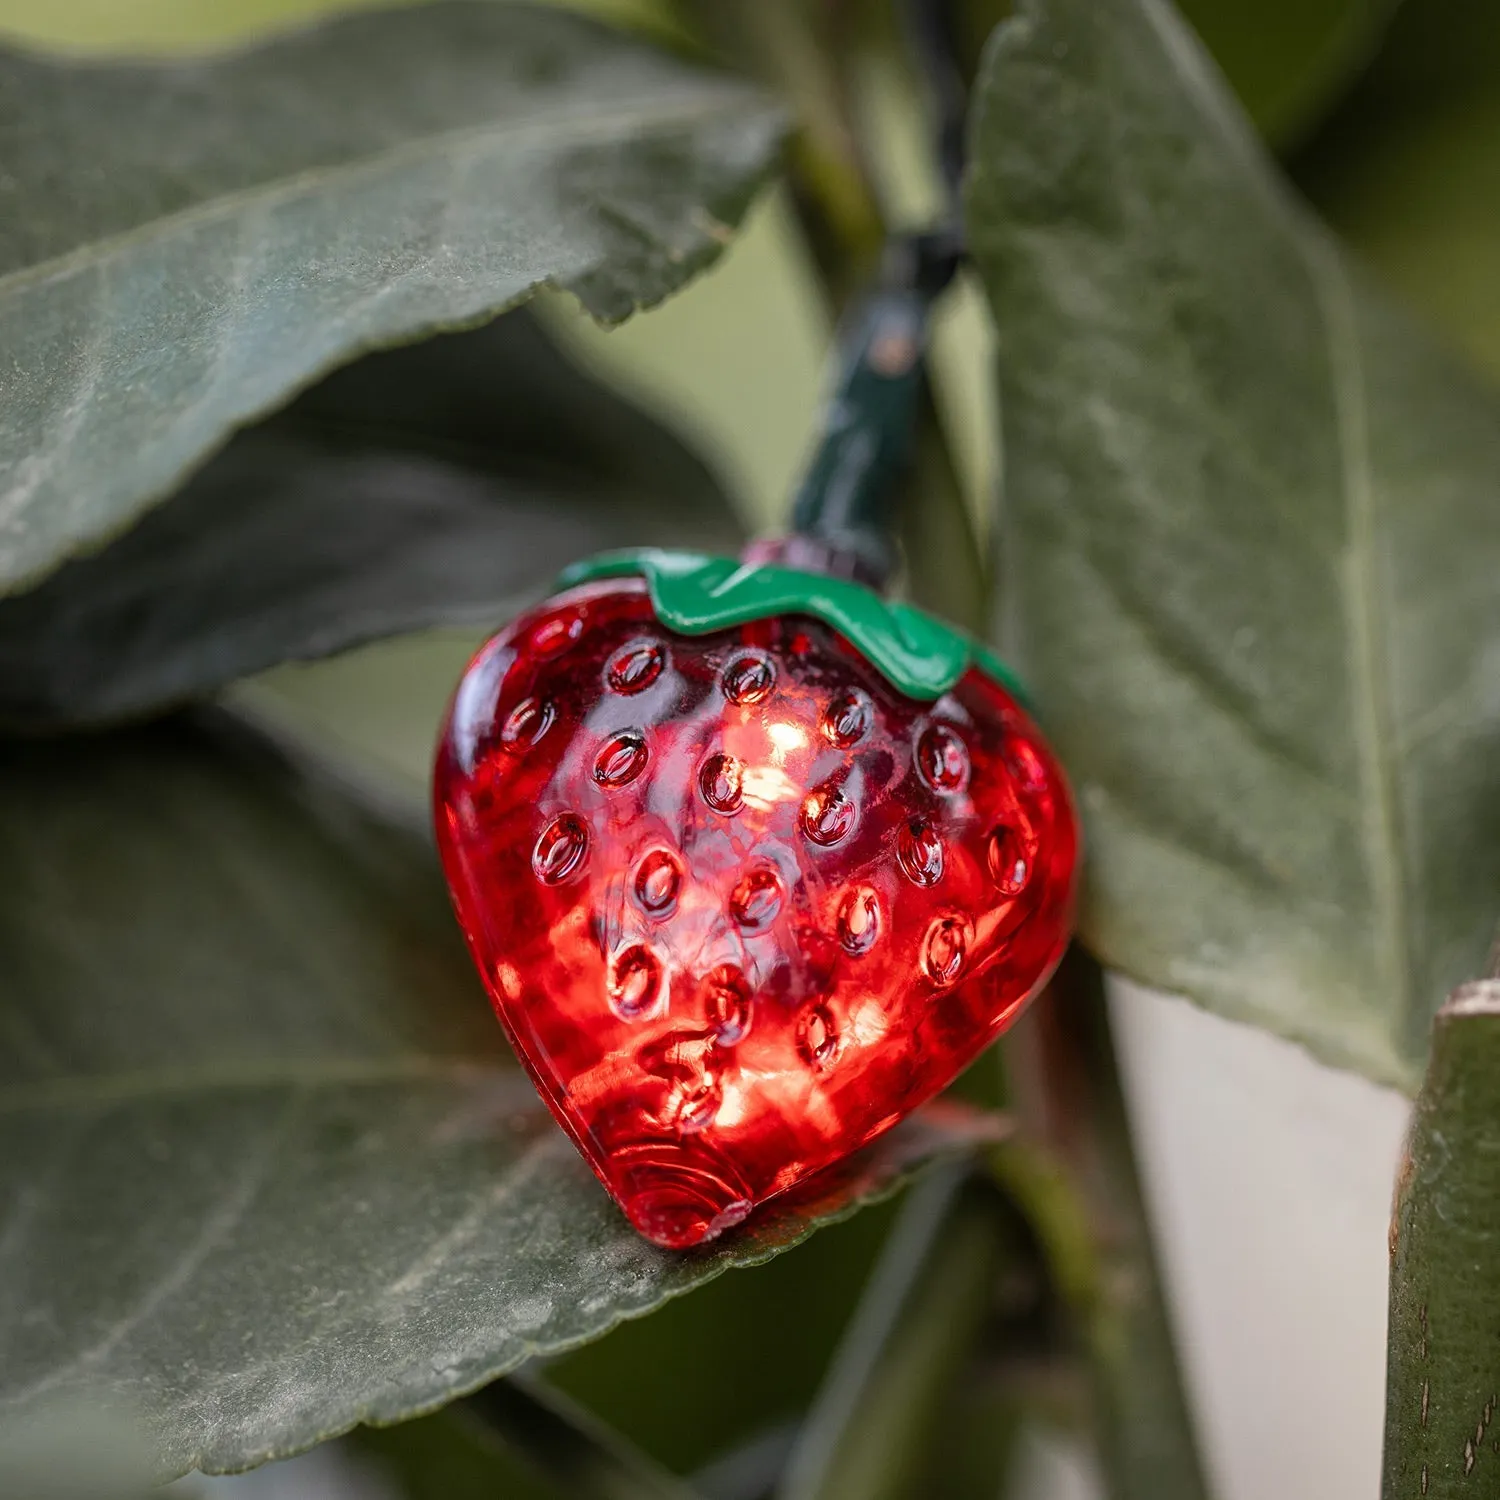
[182,245]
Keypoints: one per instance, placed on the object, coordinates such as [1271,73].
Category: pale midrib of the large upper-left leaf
[554,128]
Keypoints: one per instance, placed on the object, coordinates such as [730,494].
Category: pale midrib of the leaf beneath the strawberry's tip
[104,1090]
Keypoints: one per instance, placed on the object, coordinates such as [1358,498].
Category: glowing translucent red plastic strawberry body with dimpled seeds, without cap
[740,905]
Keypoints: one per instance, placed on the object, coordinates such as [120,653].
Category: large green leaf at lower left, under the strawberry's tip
[266,1166]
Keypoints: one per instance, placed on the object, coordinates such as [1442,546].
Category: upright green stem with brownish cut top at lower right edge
[1444,1366]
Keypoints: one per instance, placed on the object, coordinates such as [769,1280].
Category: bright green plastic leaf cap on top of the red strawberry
[694,595]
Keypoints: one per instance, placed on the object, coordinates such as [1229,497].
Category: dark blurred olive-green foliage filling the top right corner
[1409,169]
